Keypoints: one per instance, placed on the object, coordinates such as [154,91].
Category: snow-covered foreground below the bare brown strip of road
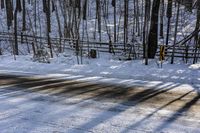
[38,113]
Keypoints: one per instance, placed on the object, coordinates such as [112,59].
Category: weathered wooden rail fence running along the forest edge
[69,43]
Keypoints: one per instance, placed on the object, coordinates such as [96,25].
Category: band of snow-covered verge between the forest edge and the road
[106,66]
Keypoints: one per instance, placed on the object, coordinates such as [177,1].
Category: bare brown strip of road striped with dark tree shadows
[184,105]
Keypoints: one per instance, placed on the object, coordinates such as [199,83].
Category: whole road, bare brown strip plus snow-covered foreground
[44,104]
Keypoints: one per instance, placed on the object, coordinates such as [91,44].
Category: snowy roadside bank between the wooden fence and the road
[106,69]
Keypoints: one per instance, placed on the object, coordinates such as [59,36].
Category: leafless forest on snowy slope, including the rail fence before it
[136,29]
